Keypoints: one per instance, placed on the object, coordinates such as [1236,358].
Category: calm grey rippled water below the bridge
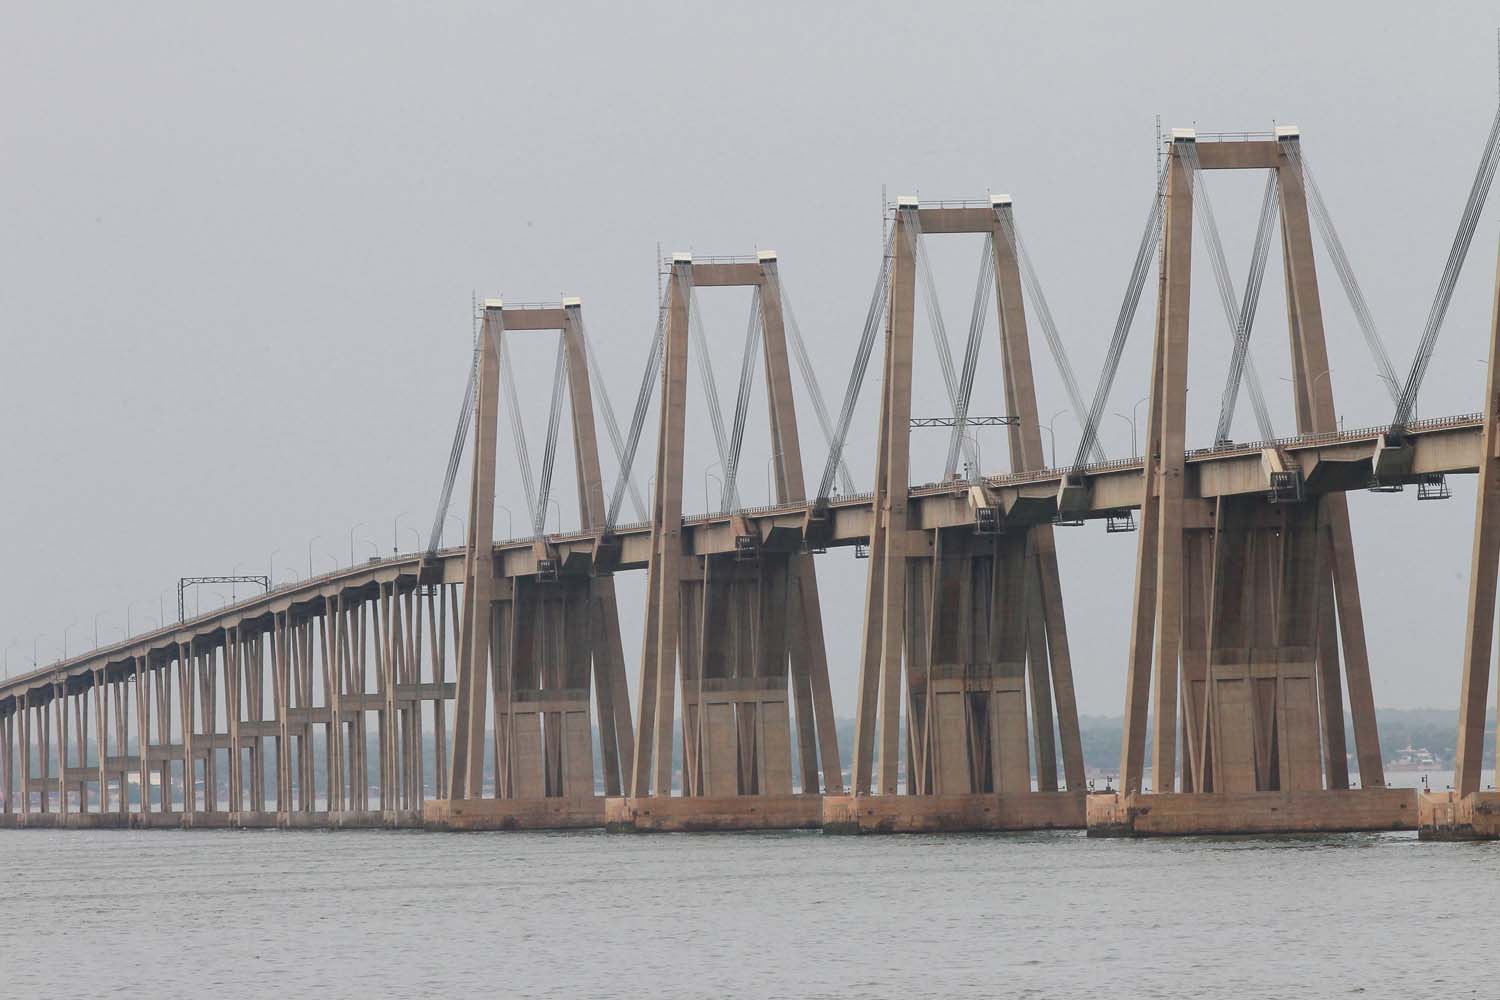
[220,914]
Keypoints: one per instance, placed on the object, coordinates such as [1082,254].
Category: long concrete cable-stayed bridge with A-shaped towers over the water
[485,686]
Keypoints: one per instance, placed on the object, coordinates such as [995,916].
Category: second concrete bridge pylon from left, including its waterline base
[736,630]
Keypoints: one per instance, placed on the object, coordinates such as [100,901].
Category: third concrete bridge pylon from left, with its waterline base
[964,629]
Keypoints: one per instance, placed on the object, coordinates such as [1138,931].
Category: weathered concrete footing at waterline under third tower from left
[953,813]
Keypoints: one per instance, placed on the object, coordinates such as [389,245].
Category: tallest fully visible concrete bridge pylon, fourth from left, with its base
[1241,602]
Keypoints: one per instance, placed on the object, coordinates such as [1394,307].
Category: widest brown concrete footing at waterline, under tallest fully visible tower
[1309,812]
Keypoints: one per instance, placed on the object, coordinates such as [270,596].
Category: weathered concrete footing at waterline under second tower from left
[682,815]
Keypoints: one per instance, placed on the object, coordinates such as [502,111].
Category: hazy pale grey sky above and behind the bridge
[241,245]
